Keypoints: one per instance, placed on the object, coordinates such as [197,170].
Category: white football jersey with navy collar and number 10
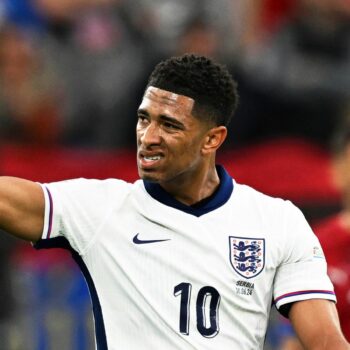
[163,275]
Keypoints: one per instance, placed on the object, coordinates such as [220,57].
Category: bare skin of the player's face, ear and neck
[176,149]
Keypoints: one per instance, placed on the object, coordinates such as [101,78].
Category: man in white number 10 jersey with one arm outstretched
[184,258]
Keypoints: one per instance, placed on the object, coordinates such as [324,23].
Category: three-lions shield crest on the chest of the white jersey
[247,255]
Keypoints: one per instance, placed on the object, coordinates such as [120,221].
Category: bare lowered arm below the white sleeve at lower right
[317,325]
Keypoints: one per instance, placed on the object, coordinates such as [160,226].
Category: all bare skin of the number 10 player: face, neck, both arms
[177,150]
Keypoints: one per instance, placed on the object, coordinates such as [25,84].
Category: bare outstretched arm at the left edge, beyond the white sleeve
[21,208]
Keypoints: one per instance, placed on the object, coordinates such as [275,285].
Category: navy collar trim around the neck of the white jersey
[216,200]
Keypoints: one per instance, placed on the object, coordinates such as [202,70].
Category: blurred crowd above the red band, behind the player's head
[73,72]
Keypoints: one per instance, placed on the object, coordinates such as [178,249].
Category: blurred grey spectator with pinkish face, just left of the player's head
[101,62]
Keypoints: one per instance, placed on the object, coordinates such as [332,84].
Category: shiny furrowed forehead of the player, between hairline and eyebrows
[168,99]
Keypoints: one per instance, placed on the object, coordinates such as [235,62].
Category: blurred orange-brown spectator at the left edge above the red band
[29,110]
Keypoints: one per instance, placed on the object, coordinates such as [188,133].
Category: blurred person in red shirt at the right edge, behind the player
[334,235]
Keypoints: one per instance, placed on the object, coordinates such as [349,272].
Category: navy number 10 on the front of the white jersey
[207,309]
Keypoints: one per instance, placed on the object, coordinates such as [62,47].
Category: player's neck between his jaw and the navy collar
[194,188]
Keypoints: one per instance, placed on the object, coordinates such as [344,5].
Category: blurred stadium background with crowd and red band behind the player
[72,74]
